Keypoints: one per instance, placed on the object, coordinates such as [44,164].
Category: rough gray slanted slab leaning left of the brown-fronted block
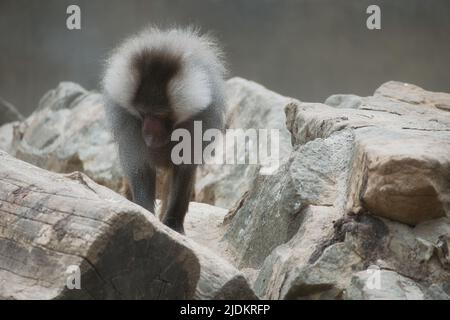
[272,213]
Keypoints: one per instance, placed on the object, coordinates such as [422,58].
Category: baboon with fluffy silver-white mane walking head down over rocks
[179,71]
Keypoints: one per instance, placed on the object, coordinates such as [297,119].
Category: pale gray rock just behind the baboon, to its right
[250,106]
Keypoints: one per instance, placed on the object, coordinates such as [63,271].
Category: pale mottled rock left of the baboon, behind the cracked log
[68,132]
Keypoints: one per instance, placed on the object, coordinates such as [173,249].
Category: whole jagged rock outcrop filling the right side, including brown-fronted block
[362,170]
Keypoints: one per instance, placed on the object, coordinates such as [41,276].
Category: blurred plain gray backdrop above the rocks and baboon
[308,49]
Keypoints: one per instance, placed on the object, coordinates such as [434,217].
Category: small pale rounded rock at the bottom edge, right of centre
[378,284]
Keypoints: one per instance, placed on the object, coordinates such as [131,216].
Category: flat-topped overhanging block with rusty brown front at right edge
[401,161]
